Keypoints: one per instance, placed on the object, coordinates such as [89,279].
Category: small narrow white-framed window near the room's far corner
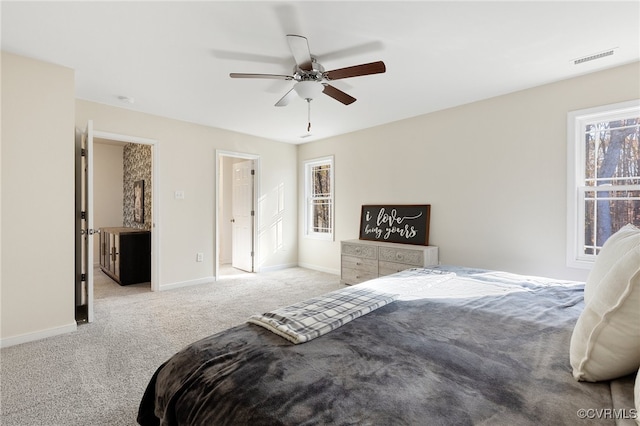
[319,198]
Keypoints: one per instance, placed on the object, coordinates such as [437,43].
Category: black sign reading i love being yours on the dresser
[406,223]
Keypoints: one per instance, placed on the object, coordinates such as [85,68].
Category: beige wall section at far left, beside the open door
[37,284]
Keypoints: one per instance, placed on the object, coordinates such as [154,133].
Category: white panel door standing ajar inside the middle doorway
[242,216]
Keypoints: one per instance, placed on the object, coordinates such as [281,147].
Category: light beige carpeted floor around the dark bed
[96,375]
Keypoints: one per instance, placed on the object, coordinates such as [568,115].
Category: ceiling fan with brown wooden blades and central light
[311,78]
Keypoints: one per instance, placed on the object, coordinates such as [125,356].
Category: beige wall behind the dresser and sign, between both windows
[493,171]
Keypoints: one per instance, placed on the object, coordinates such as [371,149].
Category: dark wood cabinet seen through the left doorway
[125,254]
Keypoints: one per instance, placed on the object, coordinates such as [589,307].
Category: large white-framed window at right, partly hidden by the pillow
[603,177]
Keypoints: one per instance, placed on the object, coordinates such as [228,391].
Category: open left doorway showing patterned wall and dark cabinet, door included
[92,248]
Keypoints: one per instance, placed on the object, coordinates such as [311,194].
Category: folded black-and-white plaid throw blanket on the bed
[314,317]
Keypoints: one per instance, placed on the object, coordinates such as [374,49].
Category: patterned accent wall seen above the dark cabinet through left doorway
[137,166]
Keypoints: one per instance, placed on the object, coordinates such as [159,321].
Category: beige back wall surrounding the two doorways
[186,155]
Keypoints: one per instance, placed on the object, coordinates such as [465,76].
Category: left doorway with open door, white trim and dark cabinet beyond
[105,198]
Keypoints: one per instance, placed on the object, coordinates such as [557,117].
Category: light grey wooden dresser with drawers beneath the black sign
[363,260]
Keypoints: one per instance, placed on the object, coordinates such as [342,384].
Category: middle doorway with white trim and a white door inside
[236,212]
